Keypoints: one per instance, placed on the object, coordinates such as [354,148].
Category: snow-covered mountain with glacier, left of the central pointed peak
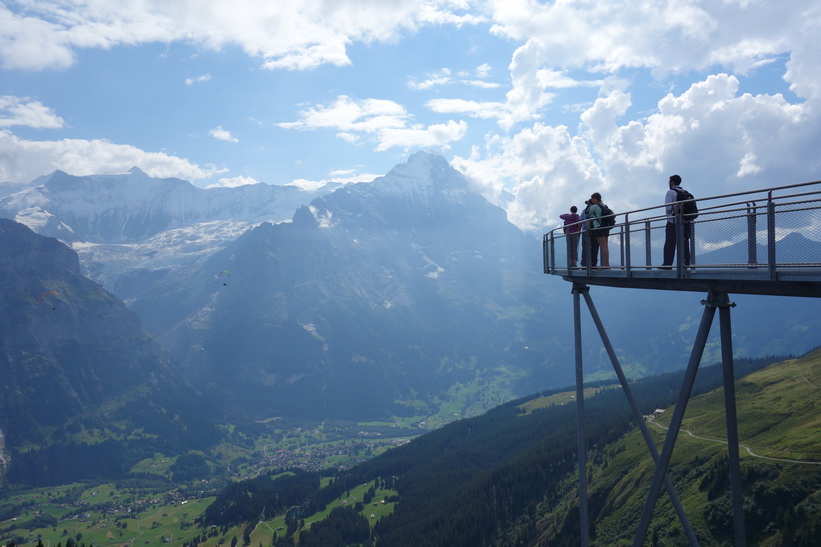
[122,222]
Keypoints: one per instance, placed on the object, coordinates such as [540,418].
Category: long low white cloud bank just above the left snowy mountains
[23,160]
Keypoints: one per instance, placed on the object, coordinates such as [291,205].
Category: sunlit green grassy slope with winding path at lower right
[778,418]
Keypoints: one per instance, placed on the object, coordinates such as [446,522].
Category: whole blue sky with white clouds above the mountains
[538,103]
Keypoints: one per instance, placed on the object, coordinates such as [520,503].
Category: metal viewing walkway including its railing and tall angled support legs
[765,242]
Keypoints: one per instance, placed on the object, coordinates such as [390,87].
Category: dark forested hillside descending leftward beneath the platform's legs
[508,477]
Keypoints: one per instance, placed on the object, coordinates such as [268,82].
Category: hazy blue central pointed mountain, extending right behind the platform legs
[404,291]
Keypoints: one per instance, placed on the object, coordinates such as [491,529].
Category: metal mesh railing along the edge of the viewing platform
[758,232]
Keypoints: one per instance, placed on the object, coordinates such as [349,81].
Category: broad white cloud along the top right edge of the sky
[667,37]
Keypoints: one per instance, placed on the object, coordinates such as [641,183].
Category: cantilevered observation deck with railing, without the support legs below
[764,242]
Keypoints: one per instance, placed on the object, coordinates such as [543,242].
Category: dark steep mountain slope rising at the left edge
[74,362]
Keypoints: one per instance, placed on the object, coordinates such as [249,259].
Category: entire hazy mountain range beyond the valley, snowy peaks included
[395,297]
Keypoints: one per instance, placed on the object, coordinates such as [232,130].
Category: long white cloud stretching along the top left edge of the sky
[290,35]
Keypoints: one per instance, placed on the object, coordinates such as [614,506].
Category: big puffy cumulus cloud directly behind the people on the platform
[719,140]
